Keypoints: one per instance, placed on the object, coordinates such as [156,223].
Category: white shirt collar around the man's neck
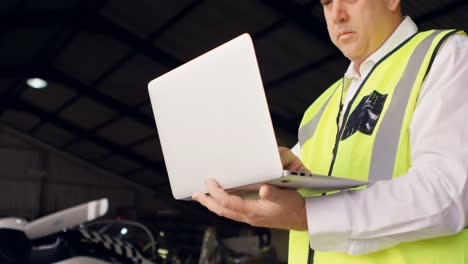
[406,29]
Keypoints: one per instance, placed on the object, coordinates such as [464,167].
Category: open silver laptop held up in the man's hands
[213,121]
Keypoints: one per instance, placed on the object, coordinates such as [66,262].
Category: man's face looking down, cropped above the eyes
[359,27]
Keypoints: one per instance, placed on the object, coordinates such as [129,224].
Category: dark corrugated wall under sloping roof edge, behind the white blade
[35,180]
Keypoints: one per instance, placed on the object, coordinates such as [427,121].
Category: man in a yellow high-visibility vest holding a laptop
[397,119]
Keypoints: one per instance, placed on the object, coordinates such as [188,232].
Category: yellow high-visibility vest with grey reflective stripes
[373,144]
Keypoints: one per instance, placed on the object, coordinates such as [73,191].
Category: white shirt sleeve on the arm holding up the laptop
[431,200]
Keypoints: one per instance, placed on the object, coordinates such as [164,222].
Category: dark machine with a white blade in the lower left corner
[61,238]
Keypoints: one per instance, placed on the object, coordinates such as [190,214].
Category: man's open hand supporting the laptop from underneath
[276,208]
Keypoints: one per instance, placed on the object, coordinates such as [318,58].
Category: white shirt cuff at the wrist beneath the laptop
[328,222]
